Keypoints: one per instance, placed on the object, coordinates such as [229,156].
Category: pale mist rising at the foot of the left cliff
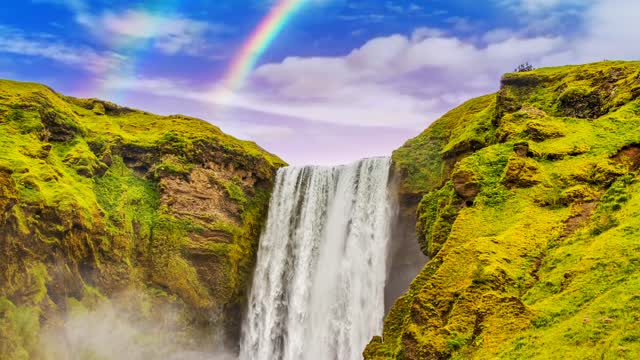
[120,328]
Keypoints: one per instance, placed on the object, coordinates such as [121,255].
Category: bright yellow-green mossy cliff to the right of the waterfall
[529,212]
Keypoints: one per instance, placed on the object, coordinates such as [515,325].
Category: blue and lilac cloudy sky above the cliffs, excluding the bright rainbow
[341,80]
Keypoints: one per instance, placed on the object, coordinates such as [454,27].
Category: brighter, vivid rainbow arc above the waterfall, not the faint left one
[268,29]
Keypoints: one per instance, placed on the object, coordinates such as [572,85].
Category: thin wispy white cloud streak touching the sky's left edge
[14,41]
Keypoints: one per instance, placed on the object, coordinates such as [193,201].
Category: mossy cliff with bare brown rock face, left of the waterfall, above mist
[99,200]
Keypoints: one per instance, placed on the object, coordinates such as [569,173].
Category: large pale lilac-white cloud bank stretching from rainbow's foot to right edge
[406,81]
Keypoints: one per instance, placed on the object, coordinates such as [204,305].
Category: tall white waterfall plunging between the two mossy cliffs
[318,289]
